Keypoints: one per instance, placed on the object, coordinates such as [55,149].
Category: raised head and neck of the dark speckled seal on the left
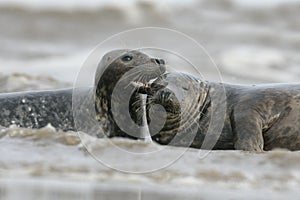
[115,83]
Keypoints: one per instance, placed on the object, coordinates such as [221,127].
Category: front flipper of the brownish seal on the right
[247,129]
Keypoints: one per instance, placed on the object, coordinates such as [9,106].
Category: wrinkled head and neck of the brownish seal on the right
[175,105]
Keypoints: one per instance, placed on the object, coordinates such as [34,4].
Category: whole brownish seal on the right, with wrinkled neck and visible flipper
[249,117]
